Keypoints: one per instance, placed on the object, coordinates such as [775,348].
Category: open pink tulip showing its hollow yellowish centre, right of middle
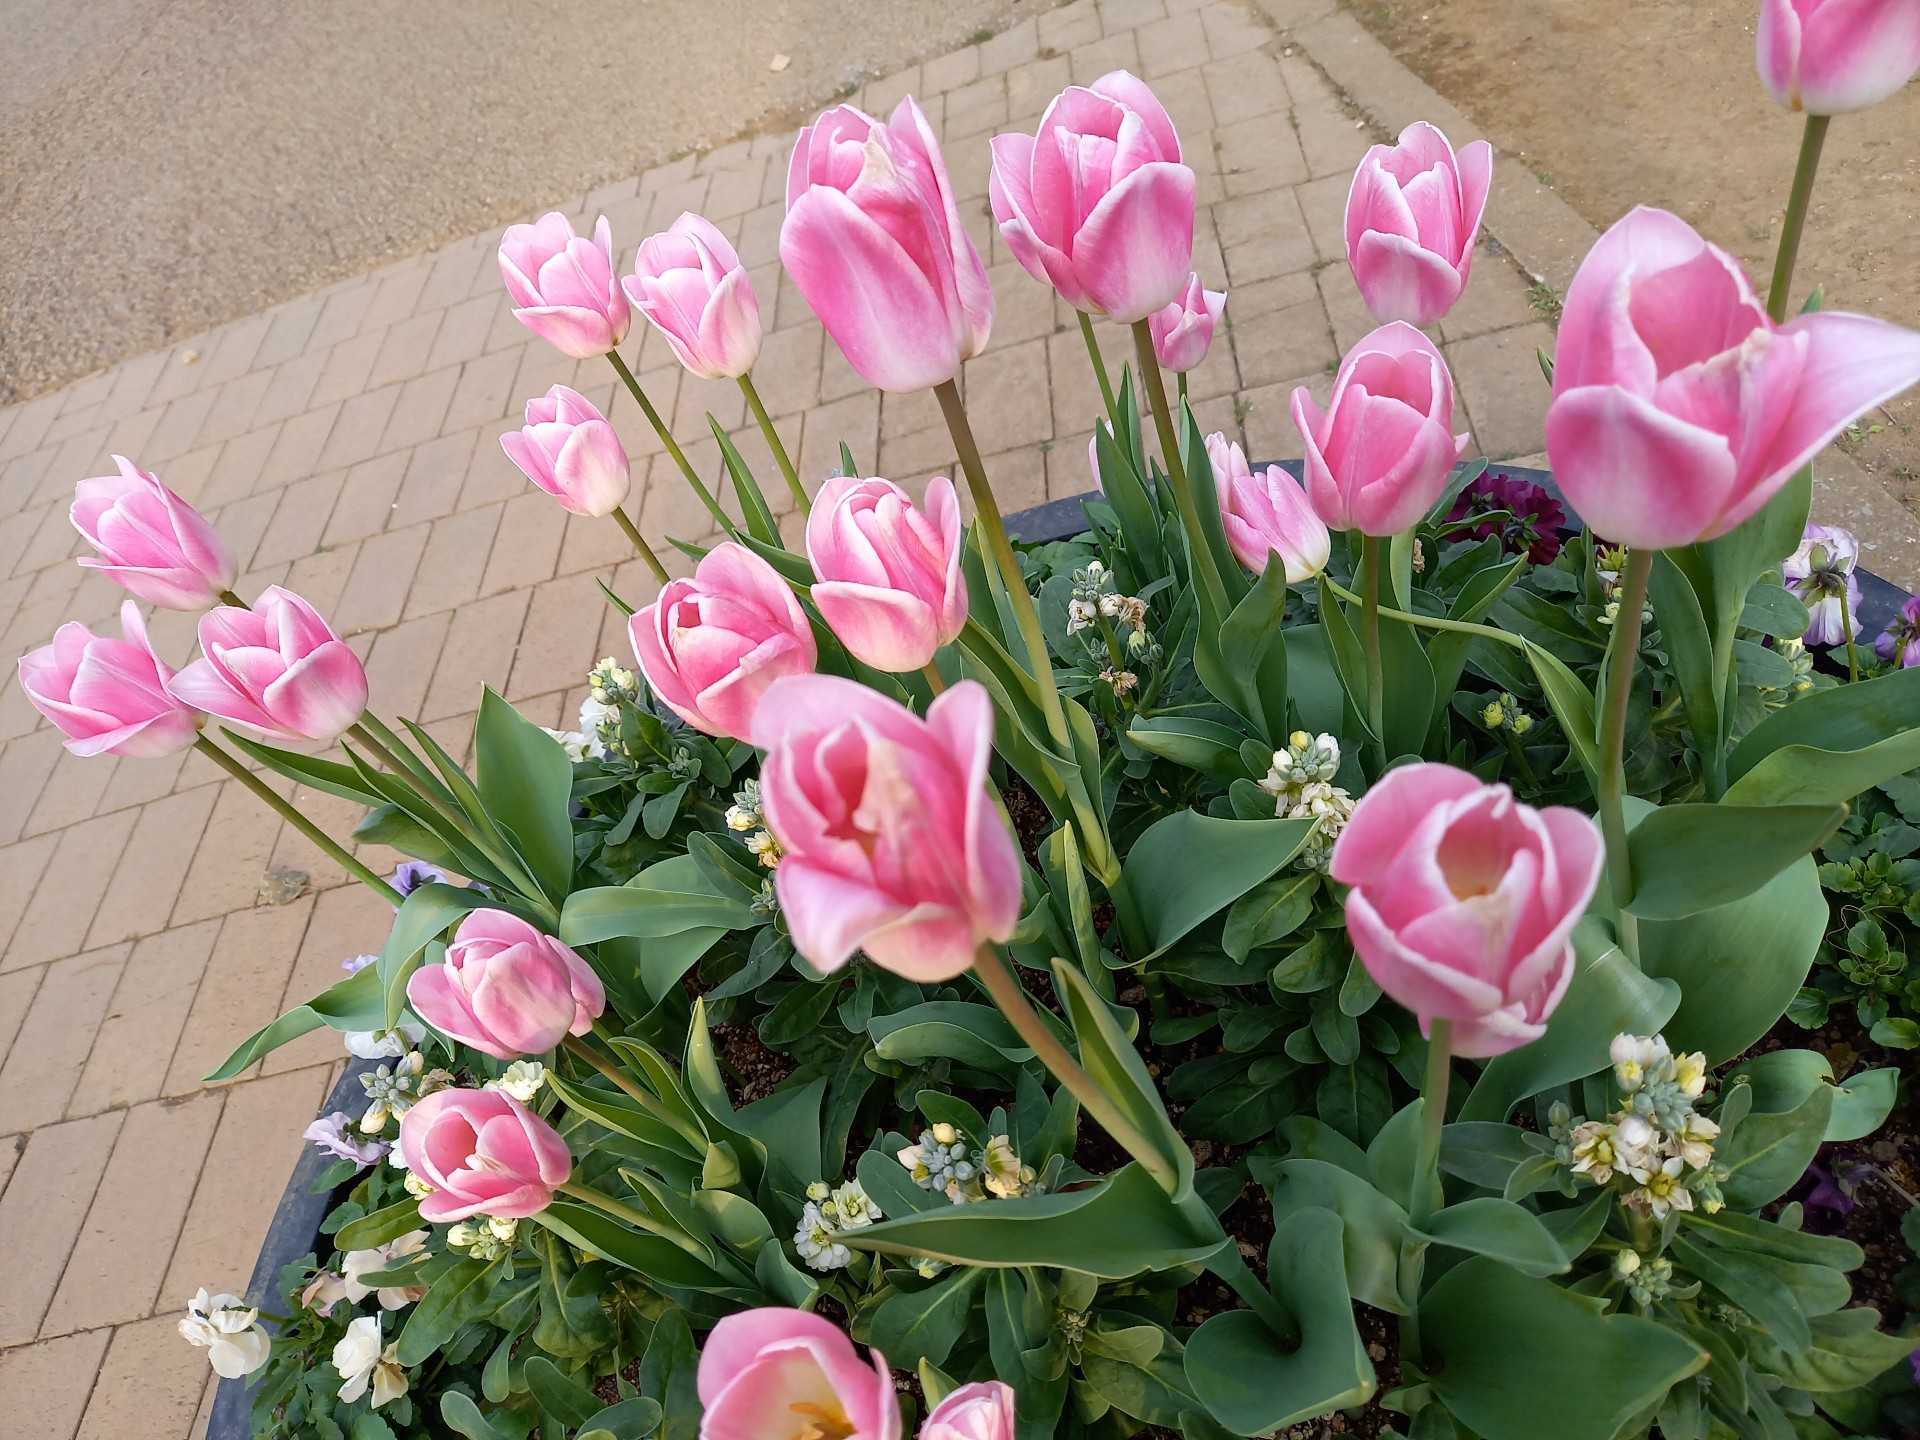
[1464,901]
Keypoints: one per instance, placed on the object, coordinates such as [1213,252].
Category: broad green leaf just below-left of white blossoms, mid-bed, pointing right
[1191,867]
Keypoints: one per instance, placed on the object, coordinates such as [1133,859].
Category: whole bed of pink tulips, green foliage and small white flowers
[1293,948]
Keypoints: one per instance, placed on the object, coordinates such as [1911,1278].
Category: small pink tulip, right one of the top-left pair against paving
[690,283]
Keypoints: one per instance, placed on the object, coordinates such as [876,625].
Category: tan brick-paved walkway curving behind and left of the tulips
[347,444]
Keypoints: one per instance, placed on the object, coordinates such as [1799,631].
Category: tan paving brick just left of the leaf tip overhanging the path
[143,1020]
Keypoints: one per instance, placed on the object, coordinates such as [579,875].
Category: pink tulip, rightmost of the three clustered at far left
[277,669]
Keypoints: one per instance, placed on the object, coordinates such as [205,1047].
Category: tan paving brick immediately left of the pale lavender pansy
[254,1151]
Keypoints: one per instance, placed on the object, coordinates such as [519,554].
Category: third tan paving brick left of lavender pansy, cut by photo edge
[39,1216]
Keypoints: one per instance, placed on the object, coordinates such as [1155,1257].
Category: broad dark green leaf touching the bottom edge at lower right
[1487,1324]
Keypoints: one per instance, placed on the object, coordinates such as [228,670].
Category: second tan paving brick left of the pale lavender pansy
[122,1253]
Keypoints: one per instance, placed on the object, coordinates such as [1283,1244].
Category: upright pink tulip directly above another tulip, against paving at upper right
[1412,218]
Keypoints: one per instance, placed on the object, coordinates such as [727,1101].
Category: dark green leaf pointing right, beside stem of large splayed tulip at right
[1698,857]
